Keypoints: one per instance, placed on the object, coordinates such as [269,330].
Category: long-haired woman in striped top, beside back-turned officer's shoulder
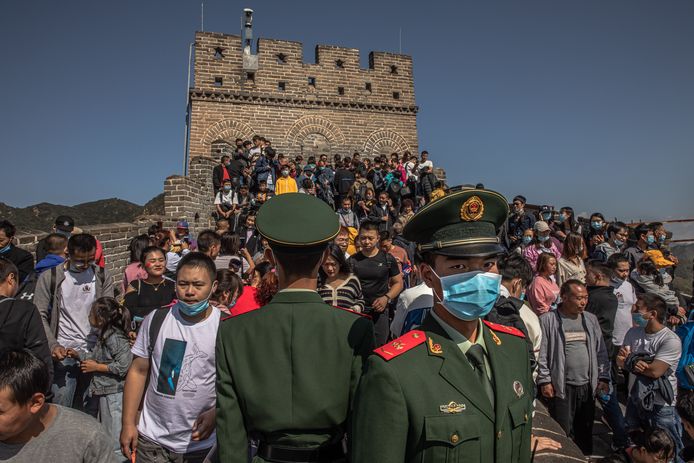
[337,285]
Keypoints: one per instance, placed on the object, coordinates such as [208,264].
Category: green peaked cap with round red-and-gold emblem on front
[464,224]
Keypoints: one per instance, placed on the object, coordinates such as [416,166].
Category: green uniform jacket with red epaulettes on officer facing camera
[426,405]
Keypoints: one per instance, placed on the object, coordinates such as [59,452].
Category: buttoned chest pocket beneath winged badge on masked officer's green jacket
[451,438]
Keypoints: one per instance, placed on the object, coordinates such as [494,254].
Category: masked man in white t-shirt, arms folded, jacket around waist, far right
[662,347]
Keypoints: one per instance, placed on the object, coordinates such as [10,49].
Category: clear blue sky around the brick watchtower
[581,103]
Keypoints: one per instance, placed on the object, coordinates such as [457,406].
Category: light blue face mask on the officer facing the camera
[471,295]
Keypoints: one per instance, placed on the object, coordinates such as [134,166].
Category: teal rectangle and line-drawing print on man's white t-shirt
[176,368]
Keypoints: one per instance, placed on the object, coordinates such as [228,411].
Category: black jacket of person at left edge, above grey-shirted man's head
[21,328]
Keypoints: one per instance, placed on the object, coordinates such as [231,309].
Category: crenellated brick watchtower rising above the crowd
[331,106]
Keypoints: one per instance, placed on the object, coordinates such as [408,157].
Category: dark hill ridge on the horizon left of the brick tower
[41,217]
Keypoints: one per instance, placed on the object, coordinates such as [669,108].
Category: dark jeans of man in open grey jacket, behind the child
[70,384]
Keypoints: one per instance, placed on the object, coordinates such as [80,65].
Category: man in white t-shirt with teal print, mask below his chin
[178,413]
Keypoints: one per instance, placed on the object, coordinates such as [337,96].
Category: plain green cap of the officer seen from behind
[297,220]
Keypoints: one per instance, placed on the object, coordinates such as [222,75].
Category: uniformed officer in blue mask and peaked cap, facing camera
[458,388]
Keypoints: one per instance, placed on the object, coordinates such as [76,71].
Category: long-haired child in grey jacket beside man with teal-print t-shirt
[109,363]
